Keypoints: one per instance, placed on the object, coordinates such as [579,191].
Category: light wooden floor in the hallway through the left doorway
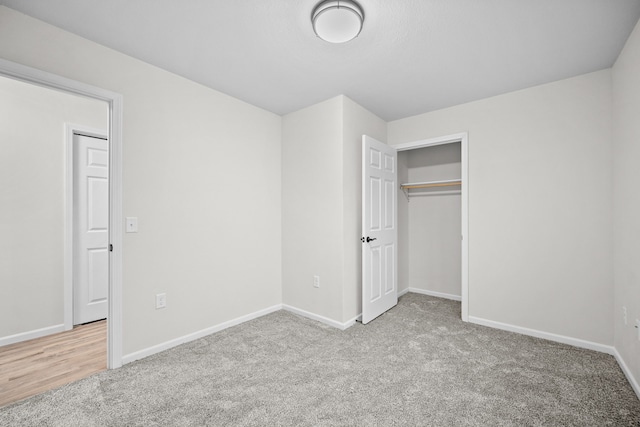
[38,365]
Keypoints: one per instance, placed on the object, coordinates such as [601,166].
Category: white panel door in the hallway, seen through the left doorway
[90,226]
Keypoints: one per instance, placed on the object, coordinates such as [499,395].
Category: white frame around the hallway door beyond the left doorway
[70,130]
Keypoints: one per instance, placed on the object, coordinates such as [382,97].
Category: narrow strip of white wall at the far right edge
[626,153]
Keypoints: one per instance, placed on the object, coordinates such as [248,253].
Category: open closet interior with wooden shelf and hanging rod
[429,220]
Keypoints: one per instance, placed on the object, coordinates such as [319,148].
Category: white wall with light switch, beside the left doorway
[202,174]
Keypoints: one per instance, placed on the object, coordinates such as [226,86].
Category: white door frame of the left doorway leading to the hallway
[114,101]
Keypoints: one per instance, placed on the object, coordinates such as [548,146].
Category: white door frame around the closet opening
[463,139]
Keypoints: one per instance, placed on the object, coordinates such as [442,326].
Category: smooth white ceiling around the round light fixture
[413,56]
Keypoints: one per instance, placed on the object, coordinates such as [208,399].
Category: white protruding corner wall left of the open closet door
[321,193]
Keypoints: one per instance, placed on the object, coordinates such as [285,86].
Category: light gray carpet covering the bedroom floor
[418,364]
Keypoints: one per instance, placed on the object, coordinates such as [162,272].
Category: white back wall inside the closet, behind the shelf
[434,218]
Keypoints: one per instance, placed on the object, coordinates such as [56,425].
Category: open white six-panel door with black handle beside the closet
[379,228]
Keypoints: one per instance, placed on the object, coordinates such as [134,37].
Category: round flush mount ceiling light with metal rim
[337,21]
